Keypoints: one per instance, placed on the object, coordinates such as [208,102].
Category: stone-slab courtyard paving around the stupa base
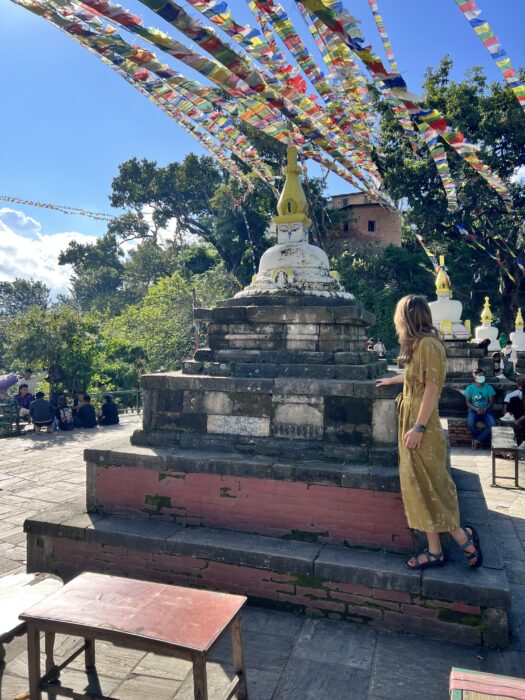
[288,657]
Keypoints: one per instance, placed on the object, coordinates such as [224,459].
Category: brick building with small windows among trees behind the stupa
[361,219]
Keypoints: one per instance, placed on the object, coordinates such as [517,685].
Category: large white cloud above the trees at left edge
[27,252]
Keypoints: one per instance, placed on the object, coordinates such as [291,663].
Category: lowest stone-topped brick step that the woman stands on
[371,588]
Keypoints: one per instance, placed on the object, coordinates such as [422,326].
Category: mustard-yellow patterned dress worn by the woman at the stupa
[428,491]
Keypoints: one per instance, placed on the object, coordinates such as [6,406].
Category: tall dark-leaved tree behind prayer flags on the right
[490,116]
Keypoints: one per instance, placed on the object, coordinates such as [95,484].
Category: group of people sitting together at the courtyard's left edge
[56,412]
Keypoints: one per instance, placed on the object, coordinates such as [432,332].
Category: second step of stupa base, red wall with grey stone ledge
[355,504]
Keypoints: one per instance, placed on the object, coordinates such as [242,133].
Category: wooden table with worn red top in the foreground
[168,620]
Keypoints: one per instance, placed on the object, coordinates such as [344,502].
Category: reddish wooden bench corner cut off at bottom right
[475,685]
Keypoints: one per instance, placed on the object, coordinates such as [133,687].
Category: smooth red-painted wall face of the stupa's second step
[297,510]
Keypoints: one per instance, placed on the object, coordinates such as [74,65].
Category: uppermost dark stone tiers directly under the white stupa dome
[284,339]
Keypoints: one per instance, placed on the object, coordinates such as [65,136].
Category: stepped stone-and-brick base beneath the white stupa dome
[283,487]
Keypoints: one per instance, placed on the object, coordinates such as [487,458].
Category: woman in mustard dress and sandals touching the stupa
[428,491]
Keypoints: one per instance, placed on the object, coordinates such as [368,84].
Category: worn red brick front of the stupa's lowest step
[378,608]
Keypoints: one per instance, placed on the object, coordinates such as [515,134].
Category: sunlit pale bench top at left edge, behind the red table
[17,593]
